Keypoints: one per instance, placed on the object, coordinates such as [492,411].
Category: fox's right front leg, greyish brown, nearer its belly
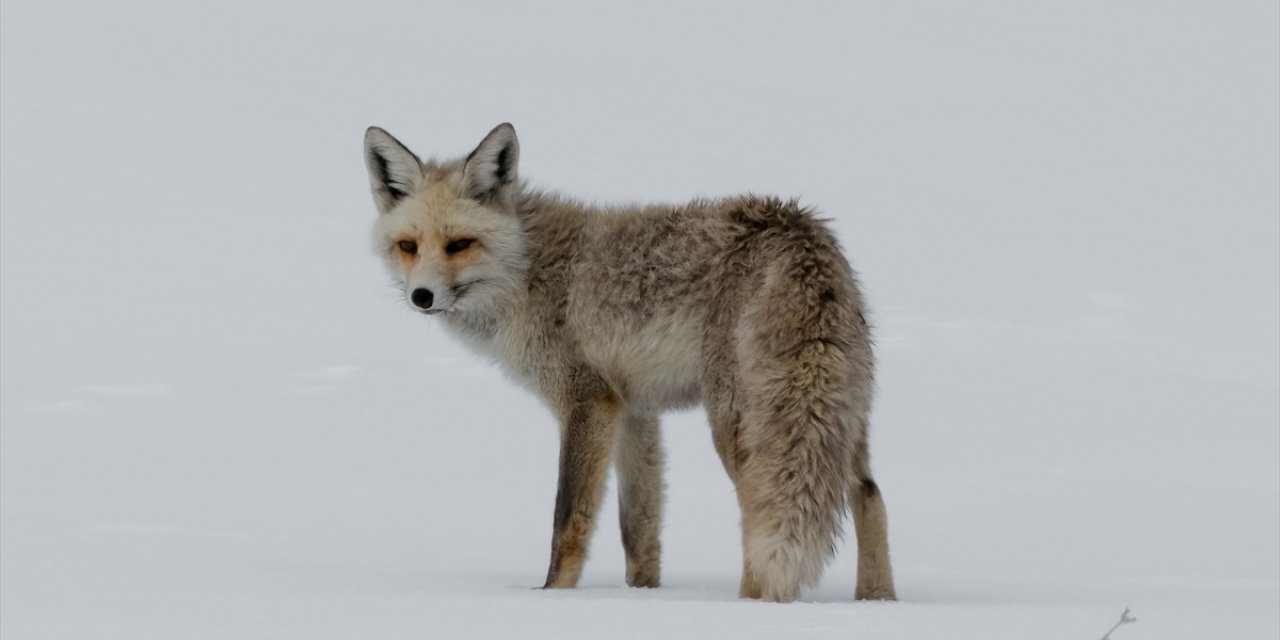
[641,491]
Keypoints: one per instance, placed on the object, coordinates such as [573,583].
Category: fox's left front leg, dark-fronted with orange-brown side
[587,442]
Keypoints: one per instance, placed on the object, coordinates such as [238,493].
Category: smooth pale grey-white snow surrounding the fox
[220,422]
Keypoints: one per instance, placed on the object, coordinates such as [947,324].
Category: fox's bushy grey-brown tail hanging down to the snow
[806,376]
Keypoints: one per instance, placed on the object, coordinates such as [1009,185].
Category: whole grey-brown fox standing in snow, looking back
[612,316]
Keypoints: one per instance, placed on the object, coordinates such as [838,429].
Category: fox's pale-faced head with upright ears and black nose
[450,232]
